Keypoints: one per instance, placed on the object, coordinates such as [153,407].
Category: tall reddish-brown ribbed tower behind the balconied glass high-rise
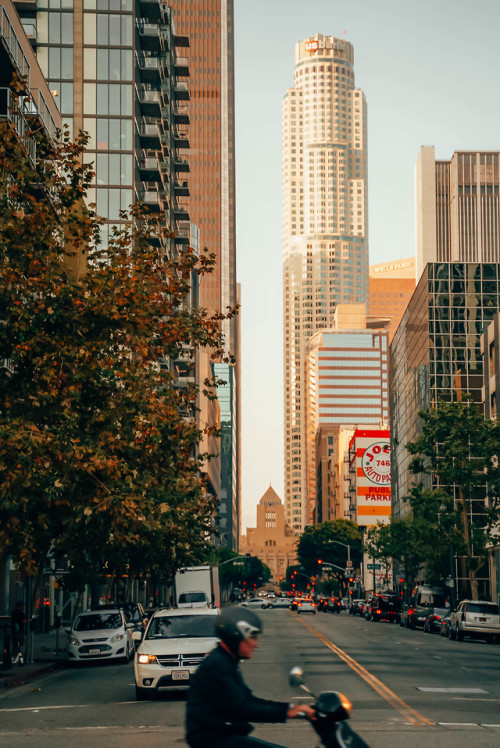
[209,25]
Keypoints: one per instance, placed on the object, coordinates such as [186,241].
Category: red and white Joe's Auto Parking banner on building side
[373,477]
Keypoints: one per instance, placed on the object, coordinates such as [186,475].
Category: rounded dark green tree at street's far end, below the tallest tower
[327,542]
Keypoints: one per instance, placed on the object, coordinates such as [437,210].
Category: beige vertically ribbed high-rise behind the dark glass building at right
[458,209]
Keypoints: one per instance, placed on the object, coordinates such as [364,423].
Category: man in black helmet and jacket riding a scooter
[220,705]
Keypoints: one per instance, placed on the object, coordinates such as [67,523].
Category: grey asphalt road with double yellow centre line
[406,687]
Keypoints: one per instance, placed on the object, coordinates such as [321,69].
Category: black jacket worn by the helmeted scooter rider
[220,705]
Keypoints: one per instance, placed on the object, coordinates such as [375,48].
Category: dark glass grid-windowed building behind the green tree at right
[436,352]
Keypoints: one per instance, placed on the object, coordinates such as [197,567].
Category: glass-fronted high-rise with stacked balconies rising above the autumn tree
[116,71]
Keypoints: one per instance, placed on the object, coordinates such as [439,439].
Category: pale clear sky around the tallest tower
[430,71]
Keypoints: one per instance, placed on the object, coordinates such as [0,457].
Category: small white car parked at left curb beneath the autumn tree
[100,635]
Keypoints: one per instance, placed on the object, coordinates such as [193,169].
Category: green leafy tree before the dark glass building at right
[457,497]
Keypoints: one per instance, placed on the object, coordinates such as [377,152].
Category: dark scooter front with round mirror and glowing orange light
[332,711]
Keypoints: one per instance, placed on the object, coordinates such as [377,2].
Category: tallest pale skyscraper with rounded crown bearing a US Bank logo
[325,223]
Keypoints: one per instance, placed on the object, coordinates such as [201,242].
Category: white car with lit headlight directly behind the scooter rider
[175,643]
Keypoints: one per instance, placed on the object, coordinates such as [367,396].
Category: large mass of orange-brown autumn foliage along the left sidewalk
[99,460]
